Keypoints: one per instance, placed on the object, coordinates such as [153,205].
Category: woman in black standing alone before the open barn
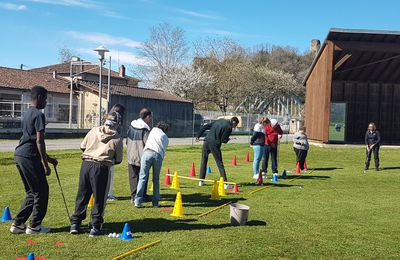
[372,142]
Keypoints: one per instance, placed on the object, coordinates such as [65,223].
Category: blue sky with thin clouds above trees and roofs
[32,31]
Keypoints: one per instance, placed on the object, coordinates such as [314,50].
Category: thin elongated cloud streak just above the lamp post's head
[100,38]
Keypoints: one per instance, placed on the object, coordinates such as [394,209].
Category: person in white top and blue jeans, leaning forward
[153,155]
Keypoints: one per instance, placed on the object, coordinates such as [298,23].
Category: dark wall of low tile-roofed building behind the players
[179,115]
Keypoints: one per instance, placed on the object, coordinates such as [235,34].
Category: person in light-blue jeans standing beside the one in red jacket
[257,141]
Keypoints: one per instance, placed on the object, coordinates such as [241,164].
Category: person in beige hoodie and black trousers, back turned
[102,147]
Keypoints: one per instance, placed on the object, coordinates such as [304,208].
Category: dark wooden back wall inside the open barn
[369,102]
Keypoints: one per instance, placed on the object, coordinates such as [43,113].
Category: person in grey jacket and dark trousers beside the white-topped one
[138,132]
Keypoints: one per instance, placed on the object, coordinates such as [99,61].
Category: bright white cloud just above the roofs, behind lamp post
[123,57]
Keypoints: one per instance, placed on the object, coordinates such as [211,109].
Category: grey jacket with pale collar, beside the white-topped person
[135,141]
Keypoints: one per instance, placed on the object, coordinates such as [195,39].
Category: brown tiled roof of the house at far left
[26,79]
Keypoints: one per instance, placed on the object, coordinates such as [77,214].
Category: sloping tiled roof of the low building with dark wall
[135,92]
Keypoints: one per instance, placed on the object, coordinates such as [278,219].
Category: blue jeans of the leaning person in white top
[154,160]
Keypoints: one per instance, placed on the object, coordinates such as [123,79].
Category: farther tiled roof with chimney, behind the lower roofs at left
[64,68]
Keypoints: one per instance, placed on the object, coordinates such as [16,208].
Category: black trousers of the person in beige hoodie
[93,179]
